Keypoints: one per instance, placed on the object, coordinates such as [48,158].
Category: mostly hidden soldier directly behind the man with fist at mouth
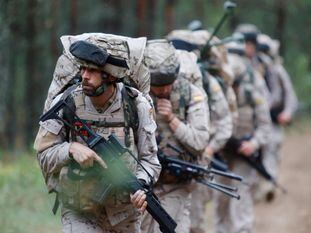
[220,115]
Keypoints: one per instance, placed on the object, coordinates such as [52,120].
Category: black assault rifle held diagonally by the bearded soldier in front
[117,173]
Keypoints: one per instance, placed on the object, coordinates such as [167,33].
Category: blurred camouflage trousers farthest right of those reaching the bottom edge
[232,215]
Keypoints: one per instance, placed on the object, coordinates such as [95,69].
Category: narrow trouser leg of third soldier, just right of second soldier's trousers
[201,195]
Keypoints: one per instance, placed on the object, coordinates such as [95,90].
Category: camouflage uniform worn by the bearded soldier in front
[79,212]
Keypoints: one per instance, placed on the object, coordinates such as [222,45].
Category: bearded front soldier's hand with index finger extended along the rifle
[84,155]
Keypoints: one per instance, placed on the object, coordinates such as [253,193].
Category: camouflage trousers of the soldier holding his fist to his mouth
[176,200]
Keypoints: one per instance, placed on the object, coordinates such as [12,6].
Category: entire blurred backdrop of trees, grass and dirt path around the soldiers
[30,45]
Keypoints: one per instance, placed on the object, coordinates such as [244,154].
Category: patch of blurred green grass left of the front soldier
[24,202]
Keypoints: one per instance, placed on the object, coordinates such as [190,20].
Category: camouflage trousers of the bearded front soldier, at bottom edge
[124,221]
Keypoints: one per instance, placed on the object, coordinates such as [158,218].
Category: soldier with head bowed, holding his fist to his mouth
[182,119]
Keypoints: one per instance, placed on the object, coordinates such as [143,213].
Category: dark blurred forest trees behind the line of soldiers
[30,45]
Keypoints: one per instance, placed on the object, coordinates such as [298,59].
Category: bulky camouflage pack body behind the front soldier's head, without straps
[66,71]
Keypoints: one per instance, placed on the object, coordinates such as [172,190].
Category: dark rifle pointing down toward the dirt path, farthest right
[255,160]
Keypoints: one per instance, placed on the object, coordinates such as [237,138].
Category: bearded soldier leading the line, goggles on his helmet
[100,100]
